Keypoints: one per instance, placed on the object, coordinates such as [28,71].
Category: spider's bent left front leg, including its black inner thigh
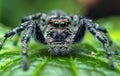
[31,30]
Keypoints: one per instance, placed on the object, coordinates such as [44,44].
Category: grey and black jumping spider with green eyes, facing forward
[59,30]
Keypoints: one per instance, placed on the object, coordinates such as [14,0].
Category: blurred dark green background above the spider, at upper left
[11,12]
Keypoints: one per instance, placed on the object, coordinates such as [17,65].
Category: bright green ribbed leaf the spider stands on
[78,63]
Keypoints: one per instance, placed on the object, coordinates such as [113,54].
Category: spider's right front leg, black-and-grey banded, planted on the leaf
[90,25]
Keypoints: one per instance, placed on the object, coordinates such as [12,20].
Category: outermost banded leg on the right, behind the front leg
[102,29]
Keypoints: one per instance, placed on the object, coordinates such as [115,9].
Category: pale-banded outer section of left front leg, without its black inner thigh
[25,40]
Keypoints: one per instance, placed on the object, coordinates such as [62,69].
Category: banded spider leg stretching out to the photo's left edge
[13,32]
